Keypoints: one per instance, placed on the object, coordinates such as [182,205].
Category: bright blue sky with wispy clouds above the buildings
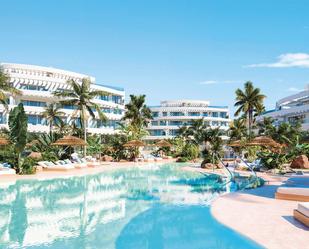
[166,49]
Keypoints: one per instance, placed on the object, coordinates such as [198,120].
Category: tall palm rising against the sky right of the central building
[250,102]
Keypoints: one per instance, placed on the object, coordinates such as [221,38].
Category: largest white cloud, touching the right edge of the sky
[287,60]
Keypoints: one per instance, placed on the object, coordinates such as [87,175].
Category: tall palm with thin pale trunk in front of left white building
[81,96]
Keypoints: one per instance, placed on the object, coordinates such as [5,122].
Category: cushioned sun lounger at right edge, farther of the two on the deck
[292,194]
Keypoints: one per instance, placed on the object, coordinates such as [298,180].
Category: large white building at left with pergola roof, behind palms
[38,84]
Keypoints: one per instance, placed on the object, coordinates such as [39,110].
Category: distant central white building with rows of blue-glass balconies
[170,115]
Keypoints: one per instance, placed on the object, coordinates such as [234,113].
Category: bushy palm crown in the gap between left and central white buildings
[138,114]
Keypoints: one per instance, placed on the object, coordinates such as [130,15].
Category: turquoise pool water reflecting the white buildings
[155,206]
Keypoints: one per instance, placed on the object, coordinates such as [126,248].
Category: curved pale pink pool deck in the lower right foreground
[256,214]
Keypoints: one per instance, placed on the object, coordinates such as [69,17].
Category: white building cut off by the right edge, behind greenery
[291,109]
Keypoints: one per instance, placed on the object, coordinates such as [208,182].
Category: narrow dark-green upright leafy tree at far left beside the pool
[18,123]
